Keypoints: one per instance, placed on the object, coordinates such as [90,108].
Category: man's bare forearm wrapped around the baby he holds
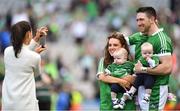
[165,67]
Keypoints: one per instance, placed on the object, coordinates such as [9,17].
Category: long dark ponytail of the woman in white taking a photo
[18,32]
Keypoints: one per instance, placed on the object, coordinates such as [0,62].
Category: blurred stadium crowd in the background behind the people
[76,40]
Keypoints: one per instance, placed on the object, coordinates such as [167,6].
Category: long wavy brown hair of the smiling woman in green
[108,59]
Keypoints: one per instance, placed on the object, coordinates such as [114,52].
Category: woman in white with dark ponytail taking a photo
[21,64]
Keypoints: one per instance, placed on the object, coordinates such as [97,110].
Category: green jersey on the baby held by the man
[146,64]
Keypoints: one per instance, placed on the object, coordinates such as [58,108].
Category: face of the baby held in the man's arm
[147,52]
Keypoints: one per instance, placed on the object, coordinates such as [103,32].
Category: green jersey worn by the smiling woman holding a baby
[105,93]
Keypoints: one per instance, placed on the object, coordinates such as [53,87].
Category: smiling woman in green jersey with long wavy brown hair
[114,42]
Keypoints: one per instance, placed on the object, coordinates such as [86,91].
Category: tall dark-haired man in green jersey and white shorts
[149,32]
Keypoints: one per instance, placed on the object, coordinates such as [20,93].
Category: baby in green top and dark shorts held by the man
[148,60]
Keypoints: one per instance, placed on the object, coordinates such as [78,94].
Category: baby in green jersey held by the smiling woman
[119,68]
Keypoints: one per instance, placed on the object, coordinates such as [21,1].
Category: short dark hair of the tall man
[150,11]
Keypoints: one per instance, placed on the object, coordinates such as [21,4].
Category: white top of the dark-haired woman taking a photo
[19,90]
